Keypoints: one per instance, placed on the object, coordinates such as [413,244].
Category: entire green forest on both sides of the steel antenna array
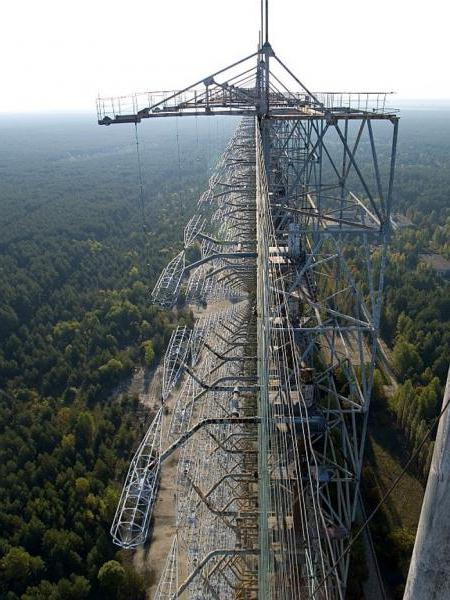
[79,250]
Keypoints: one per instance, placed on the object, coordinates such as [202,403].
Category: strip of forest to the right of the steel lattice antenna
[415,325]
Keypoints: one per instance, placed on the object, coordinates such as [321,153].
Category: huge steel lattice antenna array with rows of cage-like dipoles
[270,414]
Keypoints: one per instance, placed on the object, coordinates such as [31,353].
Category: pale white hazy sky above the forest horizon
[59,54]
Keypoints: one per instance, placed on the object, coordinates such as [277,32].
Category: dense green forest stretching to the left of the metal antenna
[79,252]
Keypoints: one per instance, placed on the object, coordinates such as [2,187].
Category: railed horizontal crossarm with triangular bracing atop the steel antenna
[243,88]
